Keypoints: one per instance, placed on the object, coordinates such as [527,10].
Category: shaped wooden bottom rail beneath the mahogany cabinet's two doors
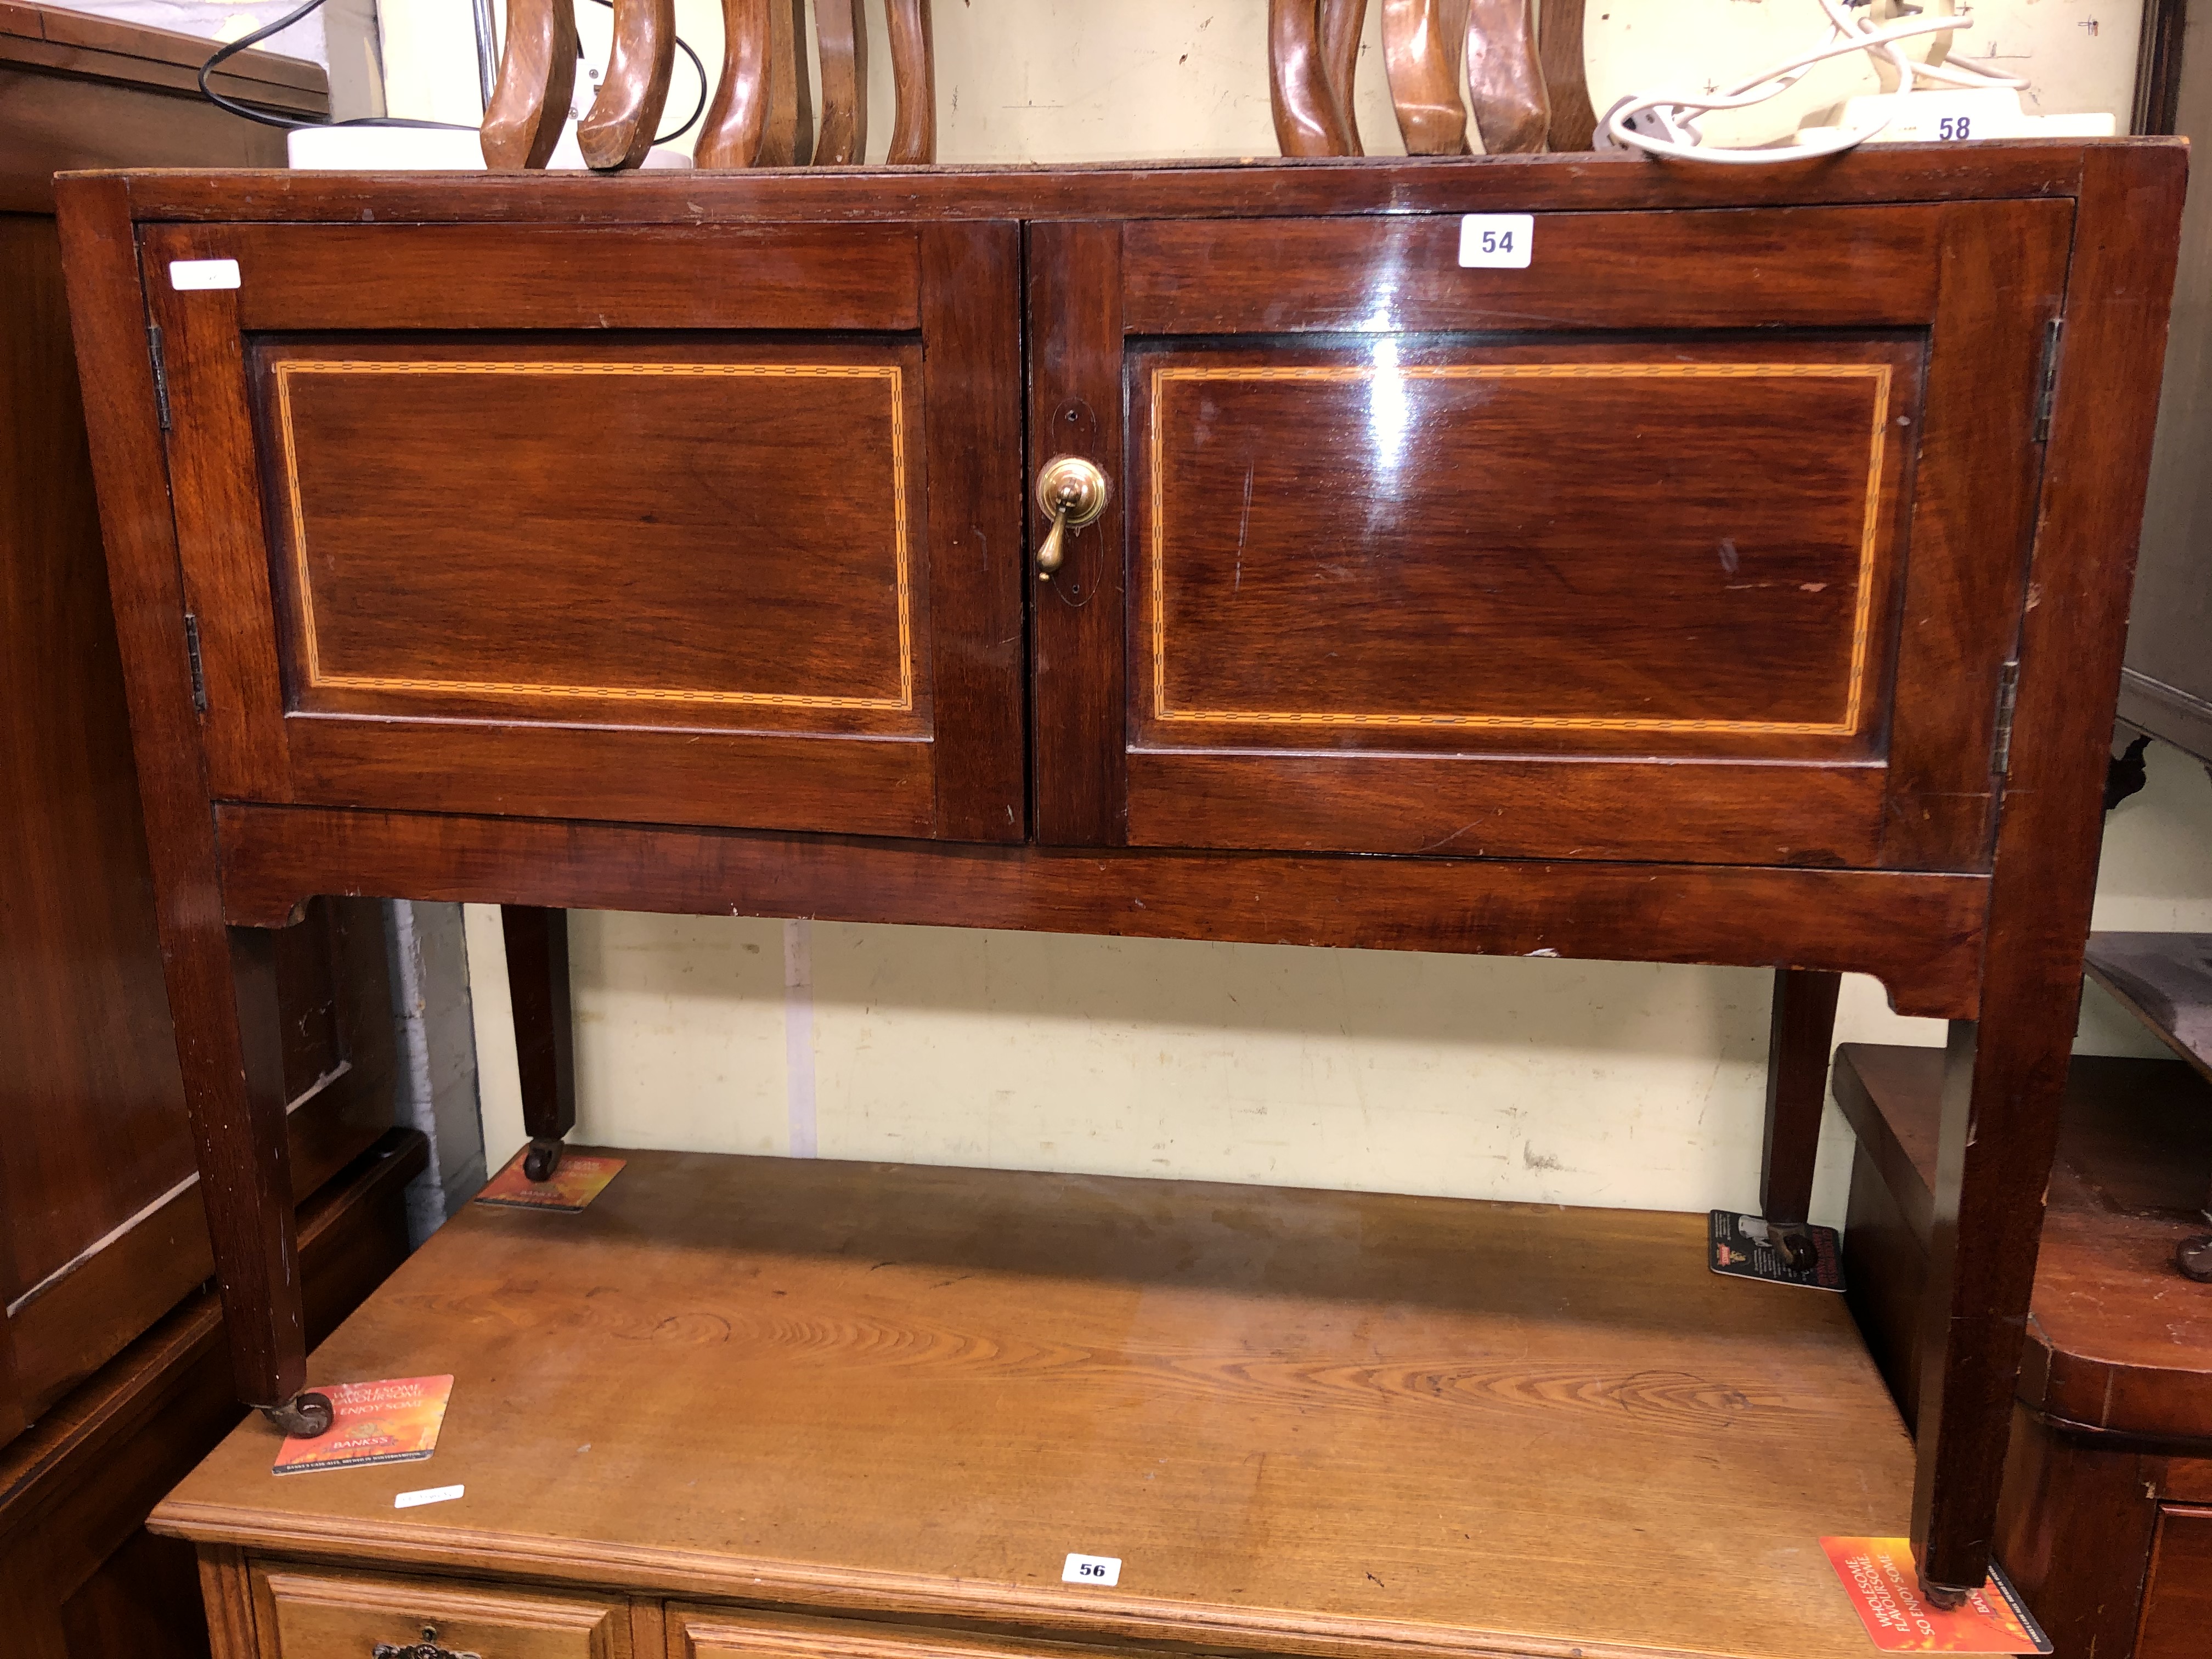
[1912,932]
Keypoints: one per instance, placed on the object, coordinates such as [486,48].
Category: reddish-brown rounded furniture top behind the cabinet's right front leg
[2116,1337]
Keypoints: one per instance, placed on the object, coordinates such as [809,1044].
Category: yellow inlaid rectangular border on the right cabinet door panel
[1381,377]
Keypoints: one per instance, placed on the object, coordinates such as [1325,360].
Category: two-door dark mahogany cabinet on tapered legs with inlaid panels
[1740,581]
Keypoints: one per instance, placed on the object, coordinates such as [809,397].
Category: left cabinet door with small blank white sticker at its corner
[707,525]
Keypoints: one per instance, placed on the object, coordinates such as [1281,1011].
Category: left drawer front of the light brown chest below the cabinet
[344,1616]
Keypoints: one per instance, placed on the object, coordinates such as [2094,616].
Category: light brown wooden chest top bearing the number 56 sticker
[1304,1421]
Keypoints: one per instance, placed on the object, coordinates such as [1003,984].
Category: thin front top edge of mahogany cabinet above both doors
[1140,189]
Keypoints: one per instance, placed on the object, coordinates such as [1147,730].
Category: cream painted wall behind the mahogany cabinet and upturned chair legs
[1574,1083]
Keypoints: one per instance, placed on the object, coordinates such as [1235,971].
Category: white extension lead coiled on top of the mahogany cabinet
[1667,123]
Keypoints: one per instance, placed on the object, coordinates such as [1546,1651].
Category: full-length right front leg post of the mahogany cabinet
[2089,517]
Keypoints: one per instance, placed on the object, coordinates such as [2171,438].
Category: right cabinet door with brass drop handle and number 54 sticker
[1700,536]
